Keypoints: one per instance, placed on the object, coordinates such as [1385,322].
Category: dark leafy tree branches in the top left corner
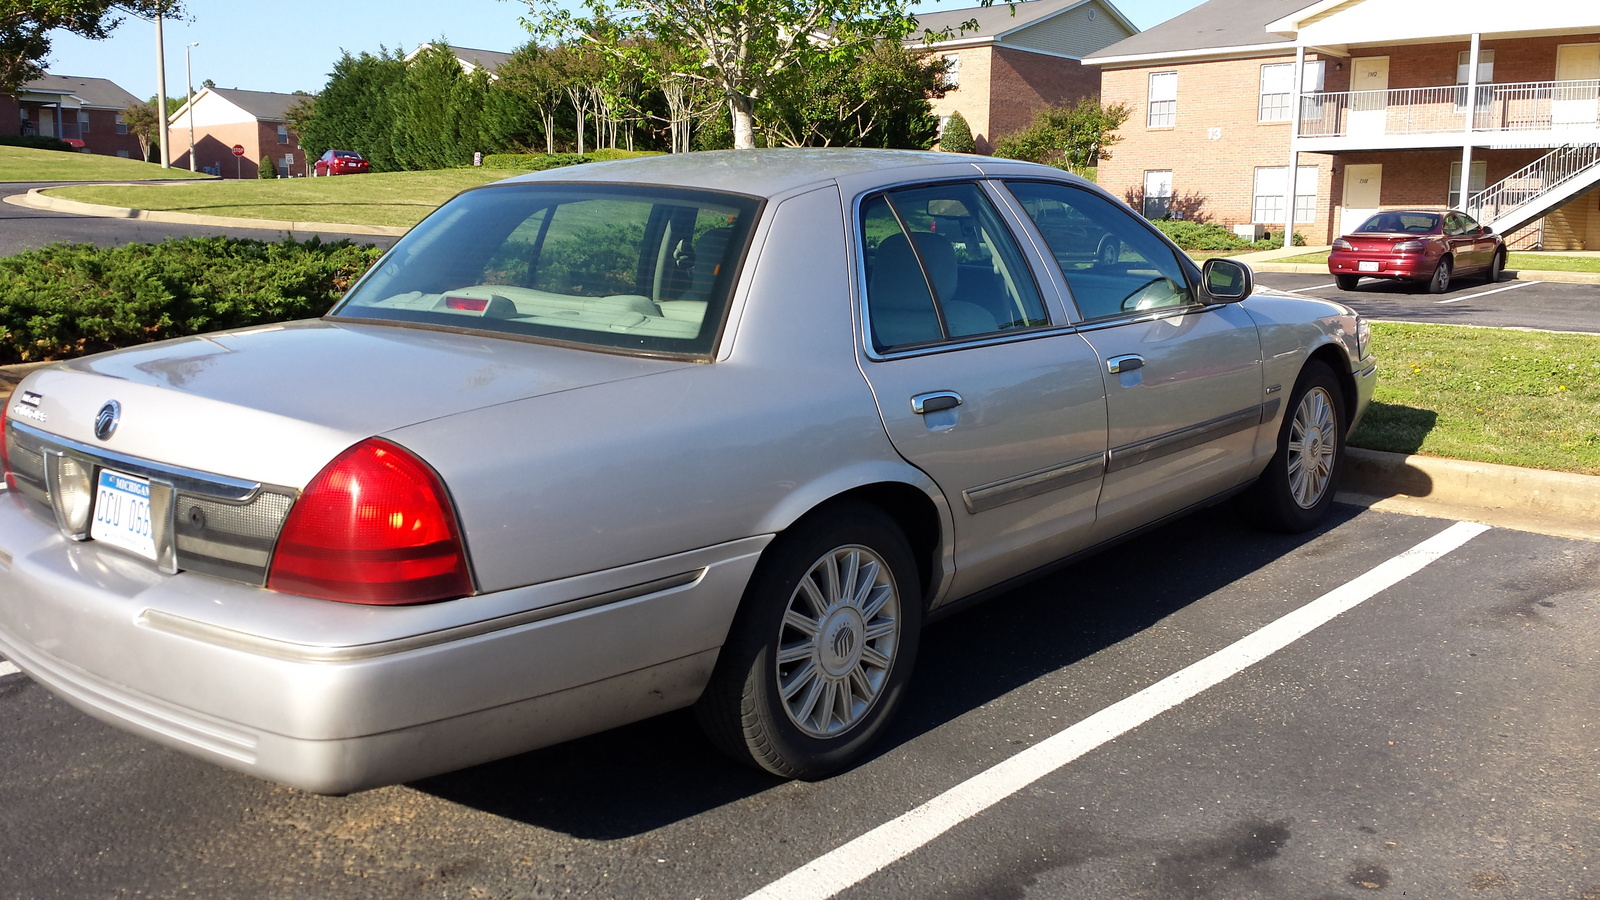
[26,26]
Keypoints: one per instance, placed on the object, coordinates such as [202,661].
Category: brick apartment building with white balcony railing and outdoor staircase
[1482,110]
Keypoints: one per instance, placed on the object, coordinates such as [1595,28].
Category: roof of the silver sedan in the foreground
[775,172]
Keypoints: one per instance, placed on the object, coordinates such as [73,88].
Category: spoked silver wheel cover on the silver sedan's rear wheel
[838,641]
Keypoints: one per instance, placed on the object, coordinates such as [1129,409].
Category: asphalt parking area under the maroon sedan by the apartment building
[1508,305]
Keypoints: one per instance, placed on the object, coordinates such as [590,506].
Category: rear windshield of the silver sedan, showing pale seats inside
[626,268]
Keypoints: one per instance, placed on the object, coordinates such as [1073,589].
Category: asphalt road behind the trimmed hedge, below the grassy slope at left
[30,230]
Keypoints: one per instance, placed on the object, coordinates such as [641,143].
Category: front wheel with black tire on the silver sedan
[1297,489]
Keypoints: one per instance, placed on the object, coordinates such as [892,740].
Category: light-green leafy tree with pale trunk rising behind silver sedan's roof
[742,49]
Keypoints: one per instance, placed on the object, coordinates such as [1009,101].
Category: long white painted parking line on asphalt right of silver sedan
[886,845]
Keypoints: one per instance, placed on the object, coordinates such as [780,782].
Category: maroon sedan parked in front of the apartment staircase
[1418,246]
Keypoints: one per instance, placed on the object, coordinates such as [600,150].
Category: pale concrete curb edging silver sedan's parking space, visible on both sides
[1506,497]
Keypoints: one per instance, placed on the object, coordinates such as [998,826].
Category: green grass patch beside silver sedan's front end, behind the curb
[1487,395]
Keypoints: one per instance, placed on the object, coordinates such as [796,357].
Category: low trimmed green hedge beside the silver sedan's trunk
[70,300]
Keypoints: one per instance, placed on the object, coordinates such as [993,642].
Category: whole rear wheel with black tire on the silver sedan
[823,646]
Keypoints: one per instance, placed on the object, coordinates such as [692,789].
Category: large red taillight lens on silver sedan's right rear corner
[374,528]
